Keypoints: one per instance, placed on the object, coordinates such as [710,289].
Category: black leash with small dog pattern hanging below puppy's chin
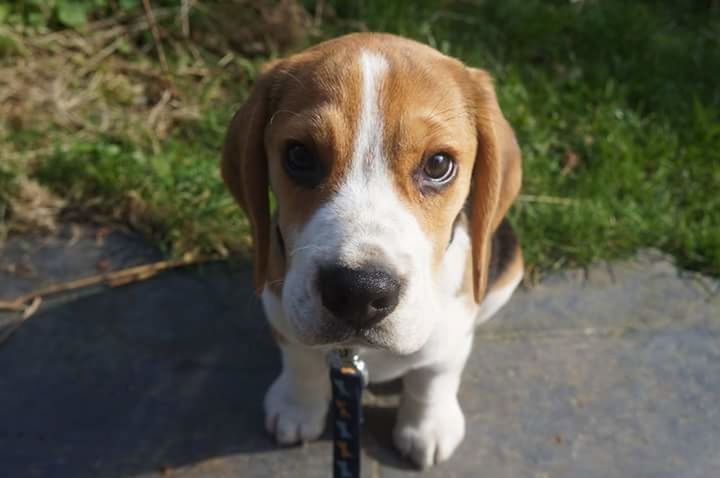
[348,377]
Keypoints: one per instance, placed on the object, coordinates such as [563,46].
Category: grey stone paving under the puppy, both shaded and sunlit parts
[609,372]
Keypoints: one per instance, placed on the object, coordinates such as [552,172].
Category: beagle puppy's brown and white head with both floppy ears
[372,145]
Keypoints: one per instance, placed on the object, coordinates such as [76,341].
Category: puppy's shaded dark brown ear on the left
[245,171]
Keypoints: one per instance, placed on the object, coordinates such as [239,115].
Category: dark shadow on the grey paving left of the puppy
[142,378]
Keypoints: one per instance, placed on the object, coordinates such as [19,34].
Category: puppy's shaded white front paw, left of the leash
[291,418]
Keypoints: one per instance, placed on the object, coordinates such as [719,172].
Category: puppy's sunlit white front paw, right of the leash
[428,434]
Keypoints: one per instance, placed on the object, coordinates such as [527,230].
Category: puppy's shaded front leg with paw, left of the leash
[297,402]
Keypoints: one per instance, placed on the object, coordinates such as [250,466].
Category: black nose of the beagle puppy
[360,297]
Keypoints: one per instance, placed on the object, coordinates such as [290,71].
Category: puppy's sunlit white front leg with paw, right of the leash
[430,424]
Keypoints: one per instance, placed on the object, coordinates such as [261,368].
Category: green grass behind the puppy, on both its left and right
[628,87]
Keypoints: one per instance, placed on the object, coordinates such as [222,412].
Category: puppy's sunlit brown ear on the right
[497,175]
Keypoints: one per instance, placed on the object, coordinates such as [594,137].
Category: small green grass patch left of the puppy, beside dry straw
[174,196]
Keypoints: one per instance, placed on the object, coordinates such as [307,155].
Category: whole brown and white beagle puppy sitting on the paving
[392,167]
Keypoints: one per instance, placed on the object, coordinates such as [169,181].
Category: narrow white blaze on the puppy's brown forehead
[367,150]
